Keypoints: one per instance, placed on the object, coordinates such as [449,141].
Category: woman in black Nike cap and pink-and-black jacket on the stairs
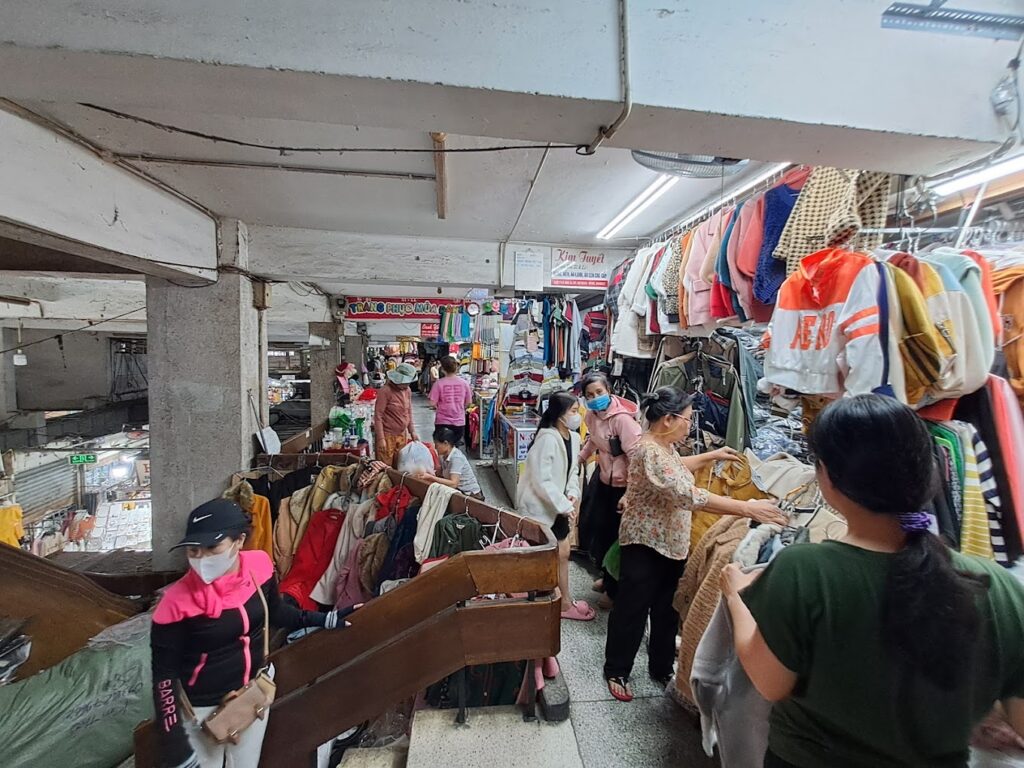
[207,637]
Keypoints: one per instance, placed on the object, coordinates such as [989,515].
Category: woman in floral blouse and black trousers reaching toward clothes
[655,536]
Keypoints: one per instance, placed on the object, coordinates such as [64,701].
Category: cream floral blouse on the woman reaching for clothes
[659,503]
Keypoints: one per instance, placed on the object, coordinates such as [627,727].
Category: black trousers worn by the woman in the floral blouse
[648,585]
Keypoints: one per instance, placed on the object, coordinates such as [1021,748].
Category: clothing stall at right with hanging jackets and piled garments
[735,307]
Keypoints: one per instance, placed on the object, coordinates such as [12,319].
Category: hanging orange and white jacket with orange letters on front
[825,333]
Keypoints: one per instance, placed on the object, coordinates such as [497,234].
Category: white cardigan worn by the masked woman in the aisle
[543,491]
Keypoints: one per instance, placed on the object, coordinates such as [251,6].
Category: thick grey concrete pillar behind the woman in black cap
[205,352]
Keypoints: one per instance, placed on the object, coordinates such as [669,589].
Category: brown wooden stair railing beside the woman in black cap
[411,637]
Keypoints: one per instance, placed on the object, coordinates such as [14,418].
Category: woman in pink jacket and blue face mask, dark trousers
[613,432]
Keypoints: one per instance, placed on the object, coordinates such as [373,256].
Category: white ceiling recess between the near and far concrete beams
[575,197]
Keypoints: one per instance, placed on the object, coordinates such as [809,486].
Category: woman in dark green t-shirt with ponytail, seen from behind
[885,649]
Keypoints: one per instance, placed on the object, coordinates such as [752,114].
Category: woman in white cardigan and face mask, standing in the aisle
[550,486]
